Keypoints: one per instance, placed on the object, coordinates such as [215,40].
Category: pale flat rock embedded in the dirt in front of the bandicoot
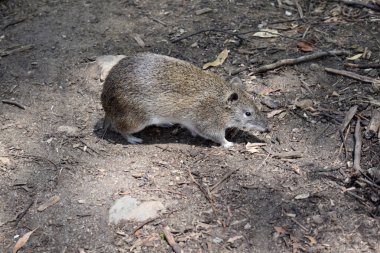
[131,209]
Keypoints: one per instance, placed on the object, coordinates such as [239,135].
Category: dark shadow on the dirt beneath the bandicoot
[173,134]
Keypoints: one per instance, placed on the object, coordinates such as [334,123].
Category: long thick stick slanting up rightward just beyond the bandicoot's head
[293,61]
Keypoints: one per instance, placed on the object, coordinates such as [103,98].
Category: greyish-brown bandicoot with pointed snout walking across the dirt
[148,89]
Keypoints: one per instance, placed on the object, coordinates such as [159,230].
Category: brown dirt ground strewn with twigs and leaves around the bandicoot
[311,202]
